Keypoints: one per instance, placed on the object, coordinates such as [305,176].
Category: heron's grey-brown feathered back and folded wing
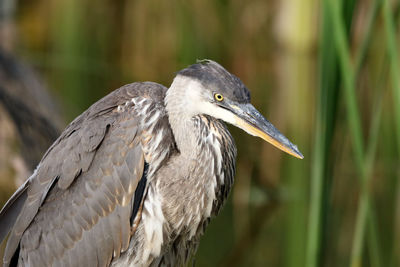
[81,196]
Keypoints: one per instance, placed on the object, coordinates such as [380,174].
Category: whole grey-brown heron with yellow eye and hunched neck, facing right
[135,179]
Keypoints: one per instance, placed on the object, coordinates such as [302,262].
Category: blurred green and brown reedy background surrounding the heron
[326,73]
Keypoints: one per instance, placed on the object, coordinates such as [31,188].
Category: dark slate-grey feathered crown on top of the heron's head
[217,79]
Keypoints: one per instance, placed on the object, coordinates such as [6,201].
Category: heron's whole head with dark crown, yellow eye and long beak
[207,88]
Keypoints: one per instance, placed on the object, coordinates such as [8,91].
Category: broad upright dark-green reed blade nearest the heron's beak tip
[324,128]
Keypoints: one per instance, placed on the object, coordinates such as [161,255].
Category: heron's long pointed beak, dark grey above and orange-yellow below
[249,119]
